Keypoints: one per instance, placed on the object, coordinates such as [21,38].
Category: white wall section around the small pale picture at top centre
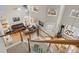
[41,14]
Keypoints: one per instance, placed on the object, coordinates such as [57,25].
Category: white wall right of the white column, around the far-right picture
[67,19]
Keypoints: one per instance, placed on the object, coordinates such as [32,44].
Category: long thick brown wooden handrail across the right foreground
[68,42]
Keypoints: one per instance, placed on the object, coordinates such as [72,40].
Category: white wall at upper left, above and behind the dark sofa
[10,11]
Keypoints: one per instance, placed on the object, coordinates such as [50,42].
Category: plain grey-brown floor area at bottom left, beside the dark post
[20,48]
